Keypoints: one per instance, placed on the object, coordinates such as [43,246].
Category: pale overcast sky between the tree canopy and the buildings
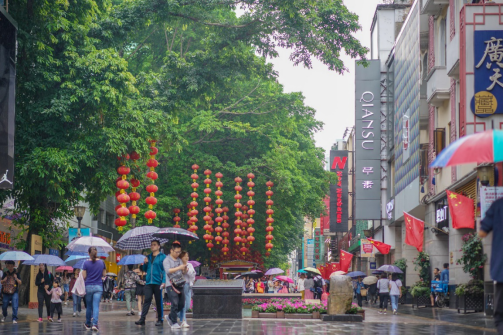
[331,94]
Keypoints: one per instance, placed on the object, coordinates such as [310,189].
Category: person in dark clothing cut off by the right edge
[492,223]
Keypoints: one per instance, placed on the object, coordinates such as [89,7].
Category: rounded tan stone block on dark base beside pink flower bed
[341,295]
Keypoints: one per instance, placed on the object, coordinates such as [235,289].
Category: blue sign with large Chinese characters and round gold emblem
[488,73]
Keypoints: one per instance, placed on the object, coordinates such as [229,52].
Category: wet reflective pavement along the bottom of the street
[114,322]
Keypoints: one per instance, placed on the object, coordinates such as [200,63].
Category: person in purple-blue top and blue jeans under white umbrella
[93,271]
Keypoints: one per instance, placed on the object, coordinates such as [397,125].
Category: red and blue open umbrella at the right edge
[476,148]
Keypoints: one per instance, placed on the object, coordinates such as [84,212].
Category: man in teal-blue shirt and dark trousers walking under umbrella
[154,279]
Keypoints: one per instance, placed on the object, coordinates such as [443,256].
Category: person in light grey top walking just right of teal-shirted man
[175,282]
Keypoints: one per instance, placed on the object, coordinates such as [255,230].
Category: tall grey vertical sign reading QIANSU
[368,141]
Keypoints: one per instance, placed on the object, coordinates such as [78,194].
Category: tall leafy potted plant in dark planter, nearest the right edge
[470,296]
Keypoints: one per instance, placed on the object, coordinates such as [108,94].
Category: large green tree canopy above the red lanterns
[98,78]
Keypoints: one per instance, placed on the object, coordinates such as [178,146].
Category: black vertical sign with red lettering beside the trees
[339,192]
